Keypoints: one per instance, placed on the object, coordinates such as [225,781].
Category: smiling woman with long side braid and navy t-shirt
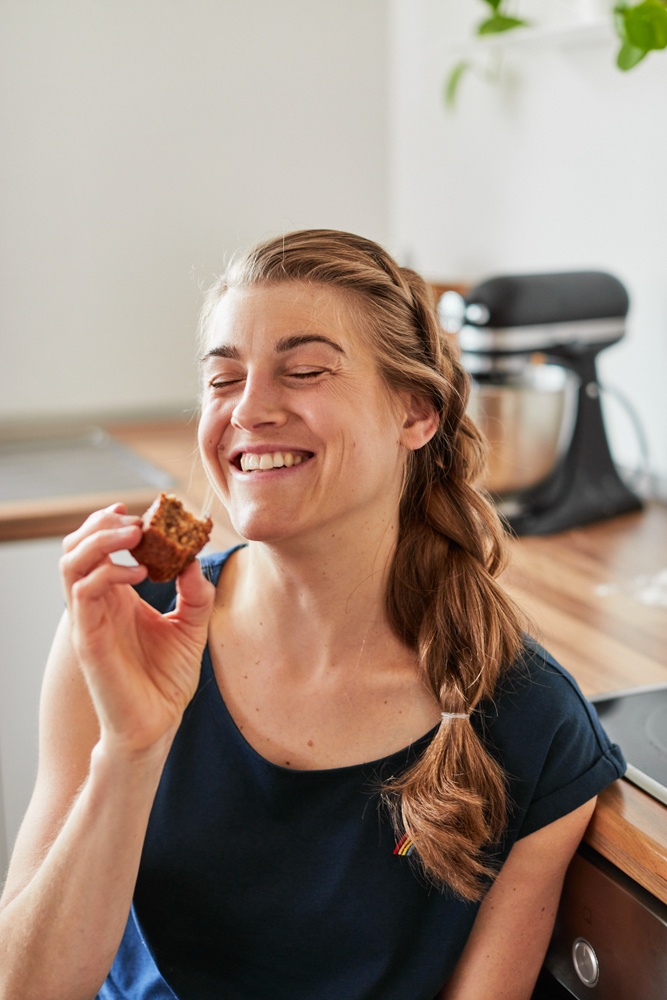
[330,766]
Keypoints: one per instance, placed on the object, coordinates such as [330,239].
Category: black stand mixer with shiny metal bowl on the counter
[530,342]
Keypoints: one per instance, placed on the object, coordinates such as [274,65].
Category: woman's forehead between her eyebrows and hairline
[265,314]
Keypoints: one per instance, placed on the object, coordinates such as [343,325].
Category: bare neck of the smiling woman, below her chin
[319,601]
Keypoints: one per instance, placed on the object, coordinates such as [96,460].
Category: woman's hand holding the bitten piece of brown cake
[141,667]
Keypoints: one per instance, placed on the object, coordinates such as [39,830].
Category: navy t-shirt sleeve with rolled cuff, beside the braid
[555,752]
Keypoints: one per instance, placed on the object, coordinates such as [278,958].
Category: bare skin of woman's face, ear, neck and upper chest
[321,533]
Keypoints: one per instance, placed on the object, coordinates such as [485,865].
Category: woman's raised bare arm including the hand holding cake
[117,681]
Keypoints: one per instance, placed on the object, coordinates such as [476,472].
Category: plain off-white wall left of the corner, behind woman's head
[142,141]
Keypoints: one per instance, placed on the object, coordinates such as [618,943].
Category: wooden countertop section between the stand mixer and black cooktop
[581,591]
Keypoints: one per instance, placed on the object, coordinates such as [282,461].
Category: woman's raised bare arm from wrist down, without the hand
[73,870]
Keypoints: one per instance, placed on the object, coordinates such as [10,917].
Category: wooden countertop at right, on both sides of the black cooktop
[580,591]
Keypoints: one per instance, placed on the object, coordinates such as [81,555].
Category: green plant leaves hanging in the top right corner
[641,28]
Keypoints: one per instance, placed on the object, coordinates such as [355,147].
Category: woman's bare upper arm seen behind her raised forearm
[68,731]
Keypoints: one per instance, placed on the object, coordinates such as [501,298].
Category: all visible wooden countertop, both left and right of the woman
[606,638]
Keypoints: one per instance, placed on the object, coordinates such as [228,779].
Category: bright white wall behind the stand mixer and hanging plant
[562,167]
